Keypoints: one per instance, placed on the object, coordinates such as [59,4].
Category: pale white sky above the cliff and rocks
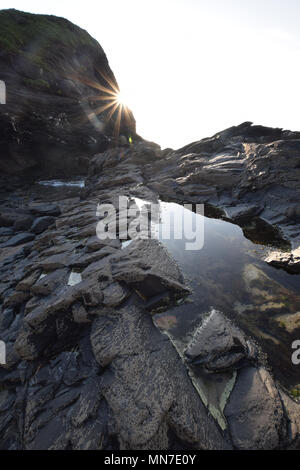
[191,68]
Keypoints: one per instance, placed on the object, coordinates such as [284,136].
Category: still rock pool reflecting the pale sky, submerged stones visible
[228,274]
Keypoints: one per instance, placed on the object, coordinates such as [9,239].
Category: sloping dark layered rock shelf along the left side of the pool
[79,352]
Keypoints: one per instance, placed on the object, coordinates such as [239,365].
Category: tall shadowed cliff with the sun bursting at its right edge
[53,71]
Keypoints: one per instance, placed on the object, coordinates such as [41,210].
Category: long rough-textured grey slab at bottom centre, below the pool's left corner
[145,398]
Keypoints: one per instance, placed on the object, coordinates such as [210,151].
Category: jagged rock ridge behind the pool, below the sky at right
[246,172]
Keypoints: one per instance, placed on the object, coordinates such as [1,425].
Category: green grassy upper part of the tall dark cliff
[47,50]
